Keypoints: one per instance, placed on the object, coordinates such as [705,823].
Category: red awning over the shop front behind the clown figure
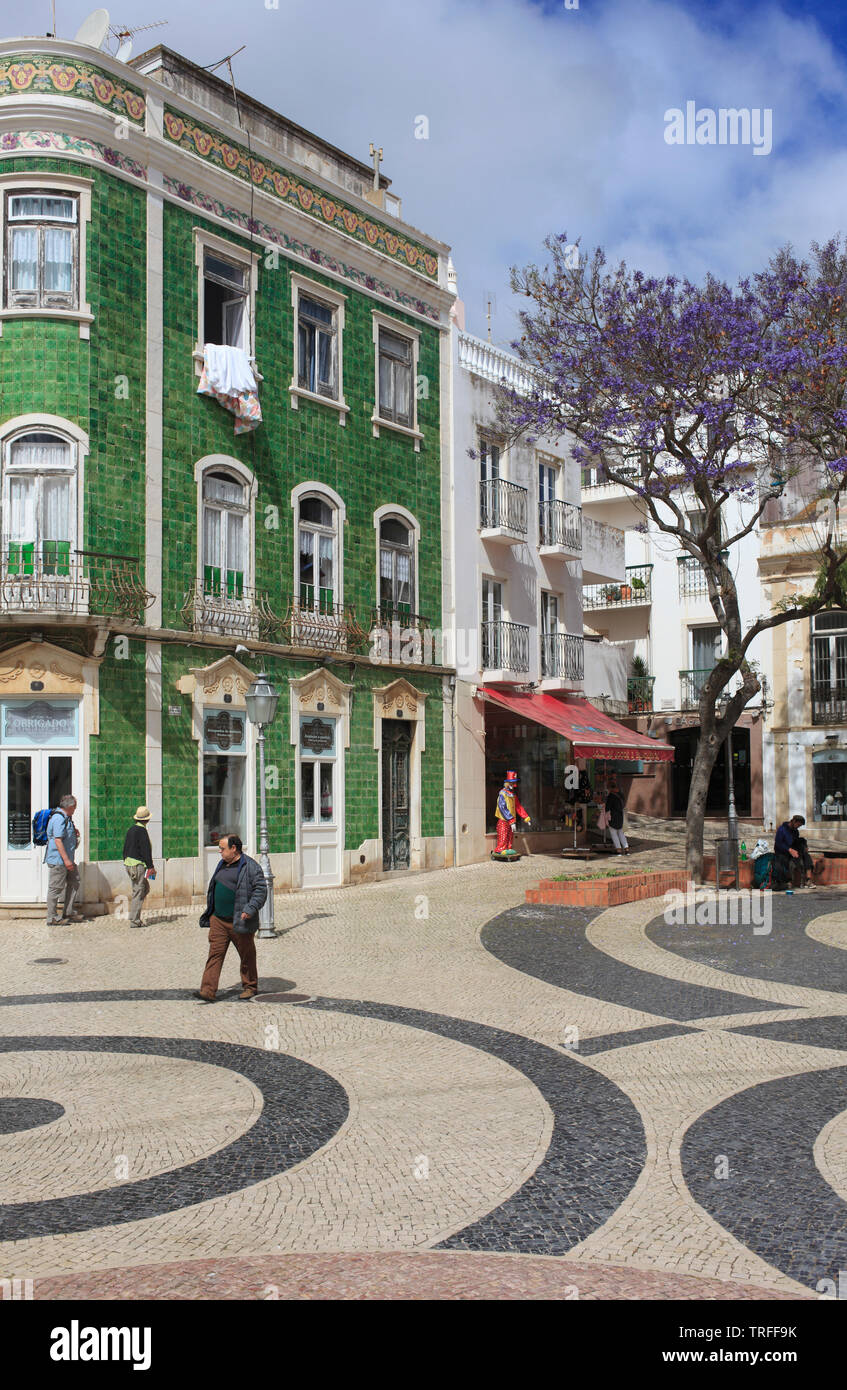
[592,733]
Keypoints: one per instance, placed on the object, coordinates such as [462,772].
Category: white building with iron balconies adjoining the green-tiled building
[518,551]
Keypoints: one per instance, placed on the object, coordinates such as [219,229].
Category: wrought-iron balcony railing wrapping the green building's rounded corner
[55,579]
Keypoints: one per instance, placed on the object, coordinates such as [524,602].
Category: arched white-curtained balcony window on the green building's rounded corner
[40,505]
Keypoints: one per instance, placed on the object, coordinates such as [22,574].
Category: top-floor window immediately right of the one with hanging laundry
[318,348]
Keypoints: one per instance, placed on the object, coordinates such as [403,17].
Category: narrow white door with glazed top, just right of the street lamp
[321,803]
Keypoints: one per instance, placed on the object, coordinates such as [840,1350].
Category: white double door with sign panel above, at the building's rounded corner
[31,780]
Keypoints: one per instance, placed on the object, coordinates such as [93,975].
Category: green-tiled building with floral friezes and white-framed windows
[222,420]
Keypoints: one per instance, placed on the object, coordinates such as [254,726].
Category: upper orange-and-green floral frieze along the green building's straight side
[273,180]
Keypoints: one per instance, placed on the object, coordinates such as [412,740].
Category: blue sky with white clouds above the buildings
[546,119]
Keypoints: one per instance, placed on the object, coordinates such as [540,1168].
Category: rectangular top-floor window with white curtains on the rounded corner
[42,251]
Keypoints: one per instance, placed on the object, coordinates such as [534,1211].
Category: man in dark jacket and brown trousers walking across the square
[237,890]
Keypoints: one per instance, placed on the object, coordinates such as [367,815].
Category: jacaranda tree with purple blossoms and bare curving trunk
[689,397]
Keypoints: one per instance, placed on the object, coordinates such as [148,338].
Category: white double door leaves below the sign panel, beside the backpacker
[31,780]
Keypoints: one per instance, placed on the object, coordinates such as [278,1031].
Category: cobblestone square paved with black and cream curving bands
[474,1099]
